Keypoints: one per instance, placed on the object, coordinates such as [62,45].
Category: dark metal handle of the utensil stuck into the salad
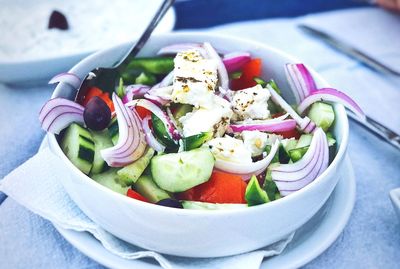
[146,34]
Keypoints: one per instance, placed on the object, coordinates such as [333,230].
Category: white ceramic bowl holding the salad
[201,233]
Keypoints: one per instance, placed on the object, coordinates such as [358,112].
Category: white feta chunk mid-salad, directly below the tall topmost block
[215,118]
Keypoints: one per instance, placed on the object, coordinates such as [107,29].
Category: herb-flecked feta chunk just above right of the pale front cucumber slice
[229,149]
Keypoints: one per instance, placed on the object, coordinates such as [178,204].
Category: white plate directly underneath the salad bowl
[310,240]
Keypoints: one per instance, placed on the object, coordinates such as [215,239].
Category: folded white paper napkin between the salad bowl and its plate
[36,185]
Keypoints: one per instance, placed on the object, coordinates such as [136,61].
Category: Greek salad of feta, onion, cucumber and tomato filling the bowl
[195,128]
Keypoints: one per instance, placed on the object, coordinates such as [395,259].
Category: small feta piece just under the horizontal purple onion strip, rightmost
[256,141]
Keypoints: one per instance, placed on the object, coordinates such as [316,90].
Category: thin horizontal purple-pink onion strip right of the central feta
[265,126]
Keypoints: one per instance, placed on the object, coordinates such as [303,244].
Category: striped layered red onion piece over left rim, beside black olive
[58,113]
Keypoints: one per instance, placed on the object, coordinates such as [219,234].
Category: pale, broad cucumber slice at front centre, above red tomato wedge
[177,172]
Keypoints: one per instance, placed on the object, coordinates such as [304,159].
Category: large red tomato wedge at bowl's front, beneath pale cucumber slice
[220,188]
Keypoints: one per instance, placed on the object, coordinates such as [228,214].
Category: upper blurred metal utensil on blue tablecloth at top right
[349,50]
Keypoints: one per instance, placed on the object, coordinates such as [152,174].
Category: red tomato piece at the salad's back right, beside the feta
[250,70]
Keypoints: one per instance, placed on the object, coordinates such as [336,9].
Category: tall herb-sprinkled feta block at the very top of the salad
[195,79]
